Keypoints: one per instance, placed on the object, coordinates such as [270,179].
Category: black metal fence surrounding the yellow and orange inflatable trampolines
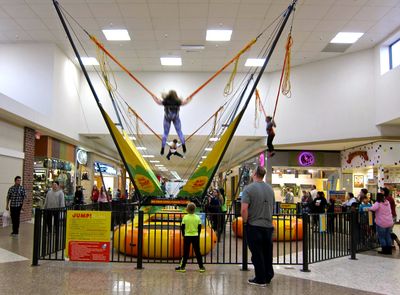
[138,237]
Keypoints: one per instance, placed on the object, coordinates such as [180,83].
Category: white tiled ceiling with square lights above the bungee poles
[159,27]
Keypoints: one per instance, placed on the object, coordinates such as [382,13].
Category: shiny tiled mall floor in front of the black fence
[369,274]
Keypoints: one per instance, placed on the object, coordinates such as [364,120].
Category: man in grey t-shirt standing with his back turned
[257,208]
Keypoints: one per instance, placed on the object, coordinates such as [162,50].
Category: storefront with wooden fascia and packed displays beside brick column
[54,161]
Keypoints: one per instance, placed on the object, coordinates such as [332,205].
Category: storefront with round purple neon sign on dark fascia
[291,170]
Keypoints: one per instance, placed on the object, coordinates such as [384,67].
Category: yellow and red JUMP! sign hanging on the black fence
[88,236]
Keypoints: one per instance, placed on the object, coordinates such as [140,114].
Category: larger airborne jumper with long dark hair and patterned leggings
[172,104]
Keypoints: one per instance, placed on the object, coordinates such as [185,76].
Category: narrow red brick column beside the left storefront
[27,174]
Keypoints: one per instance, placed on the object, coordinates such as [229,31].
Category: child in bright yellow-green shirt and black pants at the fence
[191,228]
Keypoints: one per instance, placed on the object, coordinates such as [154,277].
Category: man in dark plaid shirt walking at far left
[15,199]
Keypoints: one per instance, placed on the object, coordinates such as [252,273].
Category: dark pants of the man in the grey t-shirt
[259,240]
